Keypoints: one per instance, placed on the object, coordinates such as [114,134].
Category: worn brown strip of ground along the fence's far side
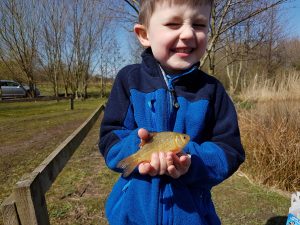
[23,157]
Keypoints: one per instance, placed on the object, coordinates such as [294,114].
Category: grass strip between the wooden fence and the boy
[79,193]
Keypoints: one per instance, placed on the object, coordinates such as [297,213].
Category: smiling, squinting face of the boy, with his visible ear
[177,34]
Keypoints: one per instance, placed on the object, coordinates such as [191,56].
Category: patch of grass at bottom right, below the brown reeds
[238,201]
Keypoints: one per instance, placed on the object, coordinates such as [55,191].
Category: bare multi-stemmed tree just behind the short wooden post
[88,20]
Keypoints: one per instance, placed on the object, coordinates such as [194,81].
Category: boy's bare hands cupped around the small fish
[163,163]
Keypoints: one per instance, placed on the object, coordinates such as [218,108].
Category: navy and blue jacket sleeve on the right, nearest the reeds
[221,152]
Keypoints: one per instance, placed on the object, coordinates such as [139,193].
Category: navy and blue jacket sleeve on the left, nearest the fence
[118,132]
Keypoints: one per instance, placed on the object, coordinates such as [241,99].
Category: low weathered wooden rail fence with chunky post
[27,204]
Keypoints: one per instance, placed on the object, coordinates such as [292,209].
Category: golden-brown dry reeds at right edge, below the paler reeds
[270,134]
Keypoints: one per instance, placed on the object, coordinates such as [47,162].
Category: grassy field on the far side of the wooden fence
[29,131]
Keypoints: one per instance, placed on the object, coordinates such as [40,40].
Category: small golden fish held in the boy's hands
[159,142]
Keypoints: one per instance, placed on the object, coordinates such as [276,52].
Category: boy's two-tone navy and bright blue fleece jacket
[193,103]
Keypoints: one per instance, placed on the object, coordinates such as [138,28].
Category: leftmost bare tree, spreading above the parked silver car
[18,37]
